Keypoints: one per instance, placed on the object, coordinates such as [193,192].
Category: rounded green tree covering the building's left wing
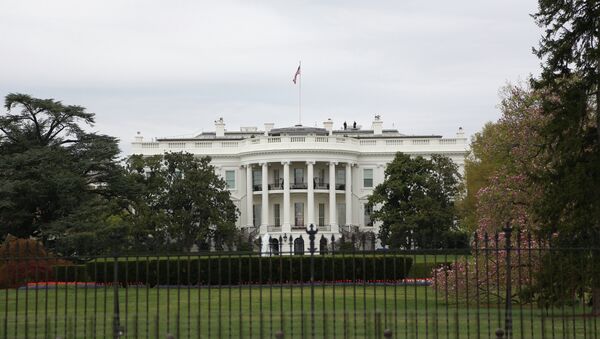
[183,202]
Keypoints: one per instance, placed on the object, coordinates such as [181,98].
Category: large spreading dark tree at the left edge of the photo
[53,172]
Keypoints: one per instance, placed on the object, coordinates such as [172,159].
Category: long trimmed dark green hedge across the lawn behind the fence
[233,270]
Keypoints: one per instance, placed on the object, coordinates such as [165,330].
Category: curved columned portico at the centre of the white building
[293,190]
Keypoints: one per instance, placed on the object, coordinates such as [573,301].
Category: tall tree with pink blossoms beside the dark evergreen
[506,197]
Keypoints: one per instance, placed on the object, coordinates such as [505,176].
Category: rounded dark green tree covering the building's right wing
[415,202]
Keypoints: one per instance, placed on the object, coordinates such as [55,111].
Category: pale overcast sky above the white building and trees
[170,68]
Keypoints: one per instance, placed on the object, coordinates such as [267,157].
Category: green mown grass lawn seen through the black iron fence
[236,312]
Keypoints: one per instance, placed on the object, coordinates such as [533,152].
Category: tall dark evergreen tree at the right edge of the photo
[570,202]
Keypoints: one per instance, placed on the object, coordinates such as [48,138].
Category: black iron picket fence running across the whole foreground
[510,285]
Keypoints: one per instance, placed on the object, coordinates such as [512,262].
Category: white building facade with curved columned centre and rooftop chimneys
[284,179]
